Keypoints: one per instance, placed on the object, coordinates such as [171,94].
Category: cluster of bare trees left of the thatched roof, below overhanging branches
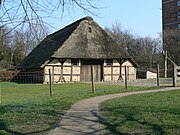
[16,45]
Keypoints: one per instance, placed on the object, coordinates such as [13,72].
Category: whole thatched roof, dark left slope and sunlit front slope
[83,39]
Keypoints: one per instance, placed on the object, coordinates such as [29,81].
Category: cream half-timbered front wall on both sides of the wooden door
[72,73]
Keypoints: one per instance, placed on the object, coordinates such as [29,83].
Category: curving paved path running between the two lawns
[83,118]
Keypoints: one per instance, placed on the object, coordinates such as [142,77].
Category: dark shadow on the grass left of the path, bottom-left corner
[7,111]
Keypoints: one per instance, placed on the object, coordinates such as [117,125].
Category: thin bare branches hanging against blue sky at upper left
[32,13]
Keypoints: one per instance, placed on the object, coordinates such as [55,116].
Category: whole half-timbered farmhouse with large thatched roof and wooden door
[72,52]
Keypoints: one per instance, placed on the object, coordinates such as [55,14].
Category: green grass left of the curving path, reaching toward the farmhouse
[28,108]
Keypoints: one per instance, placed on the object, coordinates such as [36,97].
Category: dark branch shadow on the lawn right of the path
[130,117]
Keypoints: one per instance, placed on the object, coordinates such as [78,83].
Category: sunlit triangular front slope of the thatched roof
[90,41]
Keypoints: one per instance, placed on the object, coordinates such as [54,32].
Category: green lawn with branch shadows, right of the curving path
[157,114]
